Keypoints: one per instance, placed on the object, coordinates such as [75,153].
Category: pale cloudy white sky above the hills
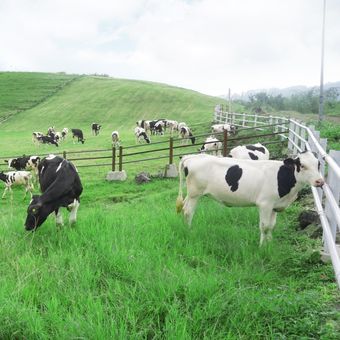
[205,45]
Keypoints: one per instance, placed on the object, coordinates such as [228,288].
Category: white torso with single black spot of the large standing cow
[231,181]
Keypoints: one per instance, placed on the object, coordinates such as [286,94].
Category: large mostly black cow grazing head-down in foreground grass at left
[60,186]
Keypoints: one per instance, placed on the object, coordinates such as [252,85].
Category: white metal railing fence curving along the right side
[300,138]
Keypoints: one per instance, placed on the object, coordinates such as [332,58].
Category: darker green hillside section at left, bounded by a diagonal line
[23,90]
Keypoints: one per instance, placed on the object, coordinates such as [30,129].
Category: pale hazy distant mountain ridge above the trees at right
[285,92]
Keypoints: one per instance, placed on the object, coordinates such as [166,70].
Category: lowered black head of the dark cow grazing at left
[37,212]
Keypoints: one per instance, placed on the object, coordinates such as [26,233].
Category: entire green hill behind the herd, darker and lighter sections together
[39,100]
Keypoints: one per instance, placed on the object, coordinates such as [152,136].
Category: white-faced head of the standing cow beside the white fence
[307,169]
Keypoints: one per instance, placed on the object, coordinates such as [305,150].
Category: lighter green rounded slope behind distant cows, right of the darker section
[113,101]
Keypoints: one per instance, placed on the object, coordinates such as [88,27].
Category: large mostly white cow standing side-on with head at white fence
[269,185]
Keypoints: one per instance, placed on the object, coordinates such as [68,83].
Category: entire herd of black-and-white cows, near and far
[245,178]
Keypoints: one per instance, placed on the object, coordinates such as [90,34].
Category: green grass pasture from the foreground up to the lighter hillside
[131,268]
